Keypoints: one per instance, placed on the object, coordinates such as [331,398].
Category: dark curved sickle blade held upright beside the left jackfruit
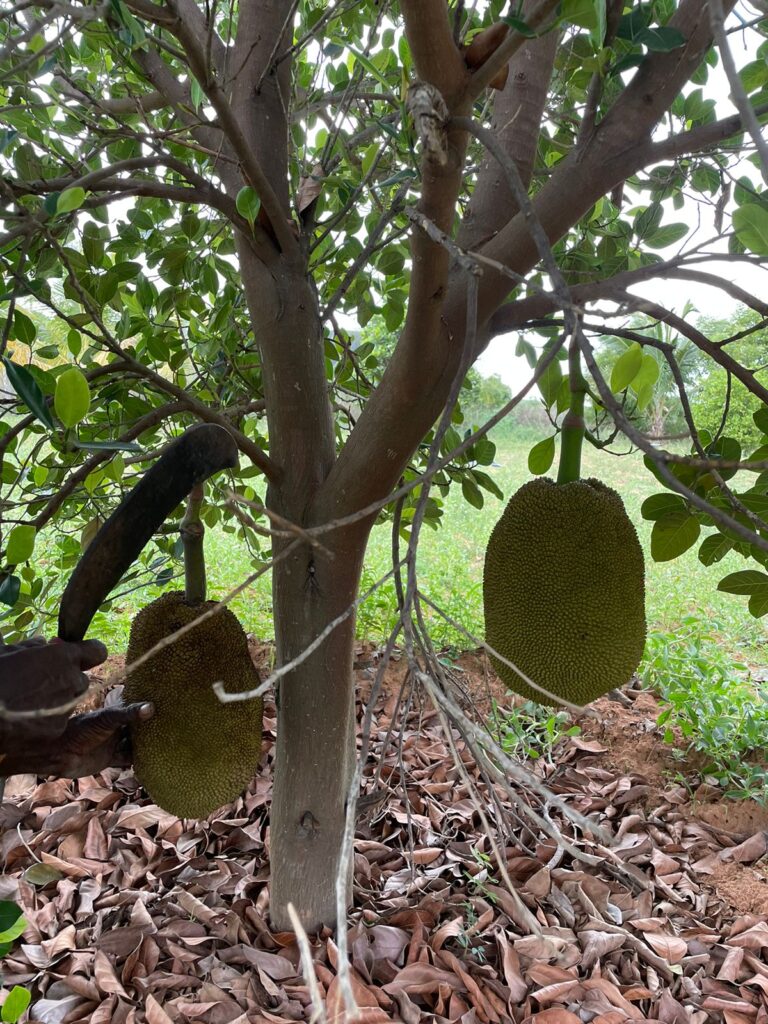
[200,452]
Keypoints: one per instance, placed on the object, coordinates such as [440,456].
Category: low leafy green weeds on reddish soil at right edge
[714,704]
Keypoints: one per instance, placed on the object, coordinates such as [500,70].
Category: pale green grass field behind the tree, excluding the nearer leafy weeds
[451,569]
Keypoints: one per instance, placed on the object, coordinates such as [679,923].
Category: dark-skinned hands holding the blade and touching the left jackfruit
[49,679]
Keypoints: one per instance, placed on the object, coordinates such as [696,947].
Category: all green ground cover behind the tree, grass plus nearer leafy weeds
[704,647]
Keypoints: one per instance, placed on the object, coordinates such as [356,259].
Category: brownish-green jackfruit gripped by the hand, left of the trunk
[196,754]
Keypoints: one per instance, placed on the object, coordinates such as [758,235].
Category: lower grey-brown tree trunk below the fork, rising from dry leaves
[316,732]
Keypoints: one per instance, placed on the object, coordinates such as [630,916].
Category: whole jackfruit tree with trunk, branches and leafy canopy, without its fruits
[210,200]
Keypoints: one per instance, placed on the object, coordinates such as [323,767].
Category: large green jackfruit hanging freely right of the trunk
[565,591]
